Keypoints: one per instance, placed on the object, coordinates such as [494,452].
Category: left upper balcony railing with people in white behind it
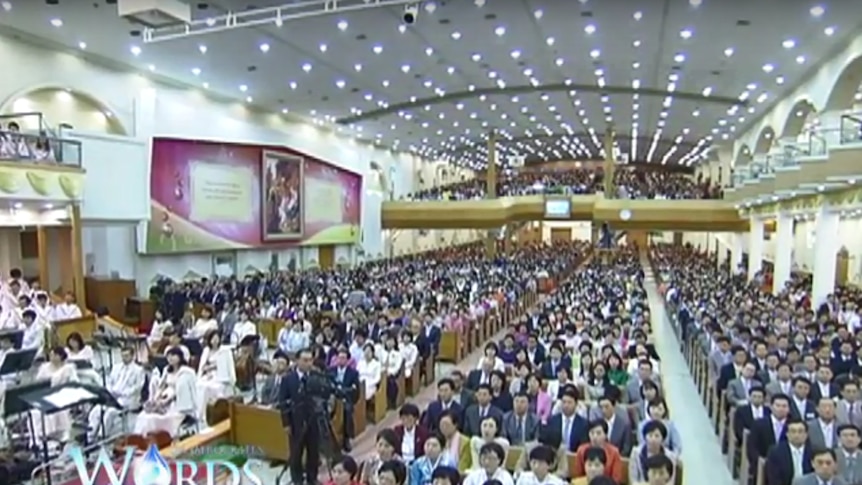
[24,147]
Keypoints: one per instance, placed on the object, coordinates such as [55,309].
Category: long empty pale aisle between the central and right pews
[701,452]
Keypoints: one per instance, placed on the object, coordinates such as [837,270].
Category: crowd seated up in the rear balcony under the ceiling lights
[630,182]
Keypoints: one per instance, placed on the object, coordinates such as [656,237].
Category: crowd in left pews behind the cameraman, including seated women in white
[378,318]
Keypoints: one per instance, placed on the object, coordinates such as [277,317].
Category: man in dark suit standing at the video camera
[304,435]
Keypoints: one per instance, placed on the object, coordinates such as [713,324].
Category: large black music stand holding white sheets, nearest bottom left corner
[61,398]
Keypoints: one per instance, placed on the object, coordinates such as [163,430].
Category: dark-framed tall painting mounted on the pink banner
[282,191]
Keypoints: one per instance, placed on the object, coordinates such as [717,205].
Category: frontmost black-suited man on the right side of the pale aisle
[791,458]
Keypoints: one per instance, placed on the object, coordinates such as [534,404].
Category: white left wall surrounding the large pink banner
[132,103]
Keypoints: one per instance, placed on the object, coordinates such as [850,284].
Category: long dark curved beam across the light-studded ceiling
[530,89]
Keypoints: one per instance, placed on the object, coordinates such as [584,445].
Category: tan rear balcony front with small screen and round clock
[623,214]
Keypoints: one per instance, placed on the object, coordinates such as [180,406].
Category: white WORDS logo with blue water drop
[153,469]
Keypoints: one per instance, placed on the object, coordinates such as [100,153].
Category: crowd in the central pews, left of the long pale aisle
[571,391]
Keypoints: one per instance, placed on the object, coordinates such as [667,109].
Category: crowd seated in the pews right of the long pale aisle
[781,378]
